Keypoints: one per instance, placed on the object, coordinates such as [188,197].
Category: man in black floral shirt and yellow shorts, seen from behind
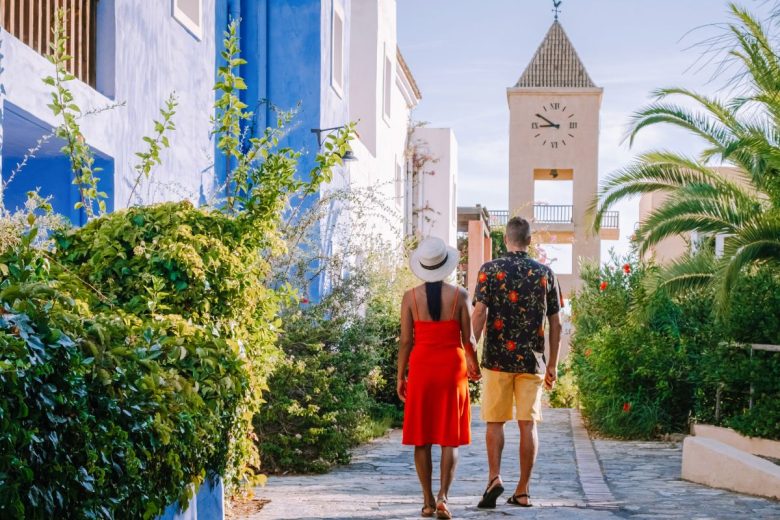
[514,295]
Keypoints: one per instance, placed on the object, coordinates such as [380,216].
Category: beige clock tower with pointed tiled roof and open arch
[554,136]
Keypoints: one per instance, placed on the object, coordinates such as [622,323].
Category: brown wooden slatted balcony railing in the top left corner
[31,21]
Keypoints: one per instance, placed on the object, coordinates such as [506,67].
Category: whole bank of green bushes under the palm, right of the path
[647,364]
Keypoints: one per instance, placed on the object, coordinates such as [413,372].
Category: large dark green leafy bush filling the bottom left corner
[104,411]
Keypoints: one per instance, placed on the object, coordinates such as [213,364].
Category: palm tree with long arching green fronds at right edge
[743,131]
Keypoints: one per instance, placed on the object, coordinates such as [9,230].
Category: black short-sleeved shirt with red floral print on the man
[519,293]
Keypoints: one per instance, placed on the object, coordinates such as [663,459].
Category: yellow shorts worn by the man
[499,389]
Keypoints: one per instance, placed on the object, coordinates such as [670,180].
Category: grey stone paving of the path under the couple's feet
[641,477]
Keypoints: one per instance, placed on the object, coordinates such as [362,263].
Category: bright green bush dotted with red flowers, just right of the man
[634,355]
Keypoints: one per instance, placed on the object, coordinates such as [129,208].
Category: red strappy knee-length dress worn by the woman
[437,409]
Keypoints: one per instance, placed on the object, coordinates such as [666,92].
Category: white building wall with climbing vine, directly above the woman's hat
[437,213]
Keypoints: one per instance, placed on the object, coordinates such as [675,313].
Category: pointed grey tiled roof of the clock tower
[555,64]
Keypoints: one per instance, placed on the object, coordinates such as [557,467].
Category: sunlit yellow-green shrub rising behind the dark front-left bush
[195,265]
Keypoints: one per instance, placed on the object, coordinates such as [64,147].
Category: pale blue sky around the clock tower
[464,54]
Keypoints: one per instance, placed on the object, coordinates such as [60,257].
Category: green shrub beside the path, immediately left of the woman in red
[324,396]
